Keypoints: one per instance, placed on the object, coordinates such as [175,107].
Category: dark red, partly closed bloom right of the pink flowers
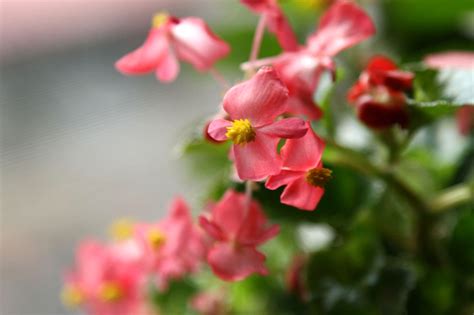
[378,95]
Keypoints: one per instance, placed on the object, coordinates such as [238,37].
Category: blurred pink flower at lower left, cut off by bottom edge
[103,284]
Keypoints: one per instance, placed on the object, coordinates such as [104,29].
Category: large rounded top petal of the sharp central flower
[260,99]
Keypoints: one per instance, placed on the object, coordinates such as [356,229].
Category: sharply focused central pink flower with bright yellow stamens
[252,107]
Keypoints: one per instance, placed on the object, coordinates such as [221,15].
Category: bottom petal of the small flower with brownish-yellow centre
[301,195]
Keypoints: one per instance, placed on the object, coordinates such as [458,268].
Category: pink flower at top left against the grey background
[188,39]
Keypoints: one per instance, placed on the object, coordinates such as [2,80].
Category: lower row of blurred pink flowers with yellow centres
[112,279]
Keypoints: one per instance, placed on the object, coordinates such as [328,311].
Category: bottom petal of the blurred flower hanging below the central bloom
[233,263]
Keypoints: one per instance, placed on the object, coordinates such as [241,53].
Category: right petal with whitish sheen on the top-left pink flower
[197,44]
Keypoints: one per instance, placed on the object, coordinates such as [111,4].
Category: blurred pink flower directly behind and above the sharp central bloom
[342,26]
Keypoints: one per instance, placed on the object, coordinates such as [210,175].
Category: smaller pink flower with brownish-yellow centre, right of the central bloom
[302,172]
